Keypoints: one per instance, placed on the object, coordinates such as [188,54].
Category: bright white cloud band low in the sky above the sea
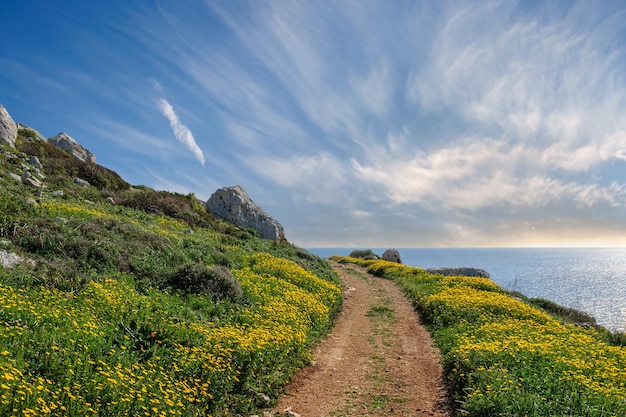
[481,174]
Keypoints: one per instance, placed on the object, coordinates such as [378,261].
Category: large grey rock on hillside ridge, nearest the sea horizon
[233,205]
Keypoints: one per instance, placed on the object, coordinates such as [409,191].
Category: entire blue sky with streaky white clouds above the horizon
[353,123]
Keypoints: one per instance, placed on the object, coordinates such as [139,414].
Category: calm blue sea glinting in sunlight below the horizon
[592,280]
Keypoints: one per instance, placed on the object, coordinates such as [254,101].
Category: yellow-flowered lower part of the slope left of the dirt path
[111,350]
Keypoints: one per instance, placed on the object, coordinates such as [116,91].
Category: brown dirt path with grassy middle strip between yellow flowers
[378,360]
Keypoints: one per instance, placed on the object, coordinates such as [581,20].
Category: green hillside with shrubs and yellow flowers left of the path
[148,306]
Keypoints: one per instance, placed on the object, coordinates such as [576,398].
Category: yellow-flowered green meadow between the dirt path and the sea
[504,357]
